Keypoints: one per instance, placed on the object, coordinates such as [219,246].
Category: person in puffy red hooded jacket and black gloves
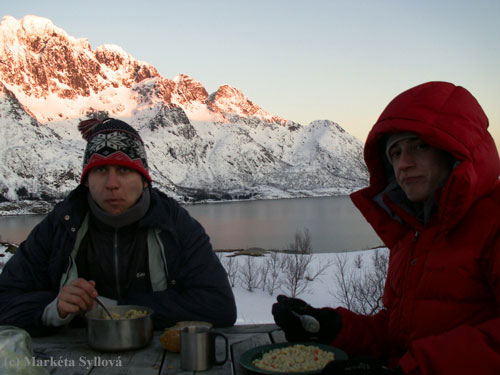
[434,199]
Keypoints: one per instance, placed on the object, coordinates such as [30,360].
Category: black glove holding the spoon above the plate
[283,313]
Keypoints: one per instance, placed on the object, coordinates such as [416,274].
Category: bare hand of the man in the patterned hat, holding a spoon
[76,297]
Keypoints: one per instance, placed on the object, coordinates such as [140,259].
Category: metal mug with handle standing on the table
[198,348]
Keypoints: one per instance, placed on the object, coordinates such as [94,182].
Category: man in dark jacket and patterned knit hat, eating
[117,237]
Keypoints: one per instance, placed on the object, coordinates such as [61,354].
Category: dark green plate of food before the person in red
[299,358]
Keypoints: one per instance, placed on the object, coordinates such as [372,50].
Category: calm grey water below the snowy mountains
[334,223]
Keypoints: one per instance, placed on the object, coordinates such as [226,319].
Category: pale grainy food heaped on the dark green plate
[295,358]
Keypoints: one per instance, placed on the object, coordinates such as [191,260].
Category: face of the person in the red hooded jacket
[419,168]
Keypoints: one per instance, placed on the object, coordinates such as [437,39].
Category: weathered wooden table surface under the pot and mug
[68,353]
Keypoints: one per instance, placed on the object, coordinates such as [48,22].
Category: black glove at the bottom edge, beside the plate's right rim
[359,366]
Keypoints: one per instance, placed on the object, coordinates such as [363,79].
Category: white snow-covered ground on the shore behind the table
[255,306]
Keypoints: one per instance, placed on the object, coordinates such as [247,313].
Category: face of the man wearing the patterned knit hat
[115,188]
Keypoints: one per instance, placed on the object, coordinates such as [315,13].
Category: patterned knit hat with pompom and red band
[112,142]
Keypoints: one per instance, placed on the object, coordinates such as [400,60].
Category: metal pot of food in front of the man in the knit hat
[118,335]
